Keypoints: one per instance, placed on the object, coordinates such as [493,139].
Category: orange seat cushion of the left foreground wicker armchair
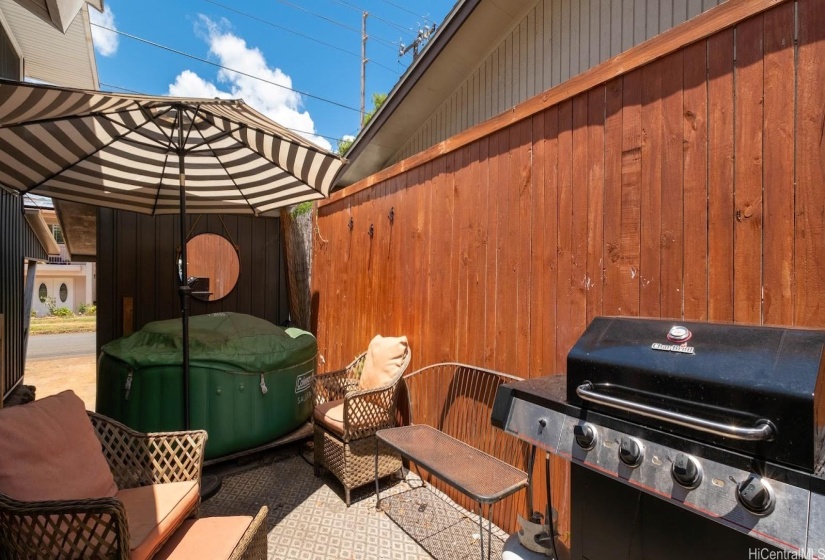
[154,512]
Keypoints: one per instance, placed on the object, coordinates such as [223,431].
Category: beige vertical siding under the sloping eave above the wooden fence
[554,41]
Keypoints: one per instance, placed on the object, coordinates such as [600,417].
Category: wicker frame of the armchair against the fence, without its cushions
[350,455]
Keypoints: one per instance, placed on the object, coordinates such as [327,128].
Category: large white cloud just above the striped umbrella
[278,103]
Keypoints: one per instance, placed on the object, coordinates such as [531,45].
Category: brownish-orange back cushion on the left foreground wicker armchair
[49,451]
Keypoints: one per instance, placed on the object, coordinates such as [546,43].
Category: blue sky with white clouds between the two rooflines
[297,61]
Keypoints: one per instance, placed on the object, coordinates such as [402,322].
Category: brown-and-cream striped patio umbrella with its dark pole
[156,155]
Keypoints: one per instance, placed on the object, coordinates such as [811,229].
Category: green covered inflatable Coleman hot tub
[250,381]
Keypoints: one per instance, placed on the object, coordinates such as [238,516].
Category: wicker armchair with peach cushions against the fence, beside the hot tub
[352,404]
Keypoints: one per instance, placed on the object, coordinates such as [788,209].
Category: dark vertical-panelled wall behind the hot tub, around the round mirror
[136,257]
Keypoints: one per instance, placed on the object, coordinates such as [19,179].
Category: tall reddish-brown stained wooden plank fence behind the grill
[682,179]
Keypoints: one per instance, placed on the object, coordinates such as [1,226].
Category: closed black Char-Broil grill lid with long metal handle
[758,390]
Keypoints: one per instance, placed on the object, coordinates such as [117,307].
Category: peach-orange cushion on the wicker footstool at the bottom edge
[209,538]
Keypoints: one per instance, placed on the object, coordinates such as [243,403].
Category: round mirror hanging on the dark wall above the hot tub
[212,265]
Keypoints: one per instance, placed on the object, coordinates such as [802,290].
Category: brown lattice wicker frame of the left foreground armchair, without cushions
[97,528]
